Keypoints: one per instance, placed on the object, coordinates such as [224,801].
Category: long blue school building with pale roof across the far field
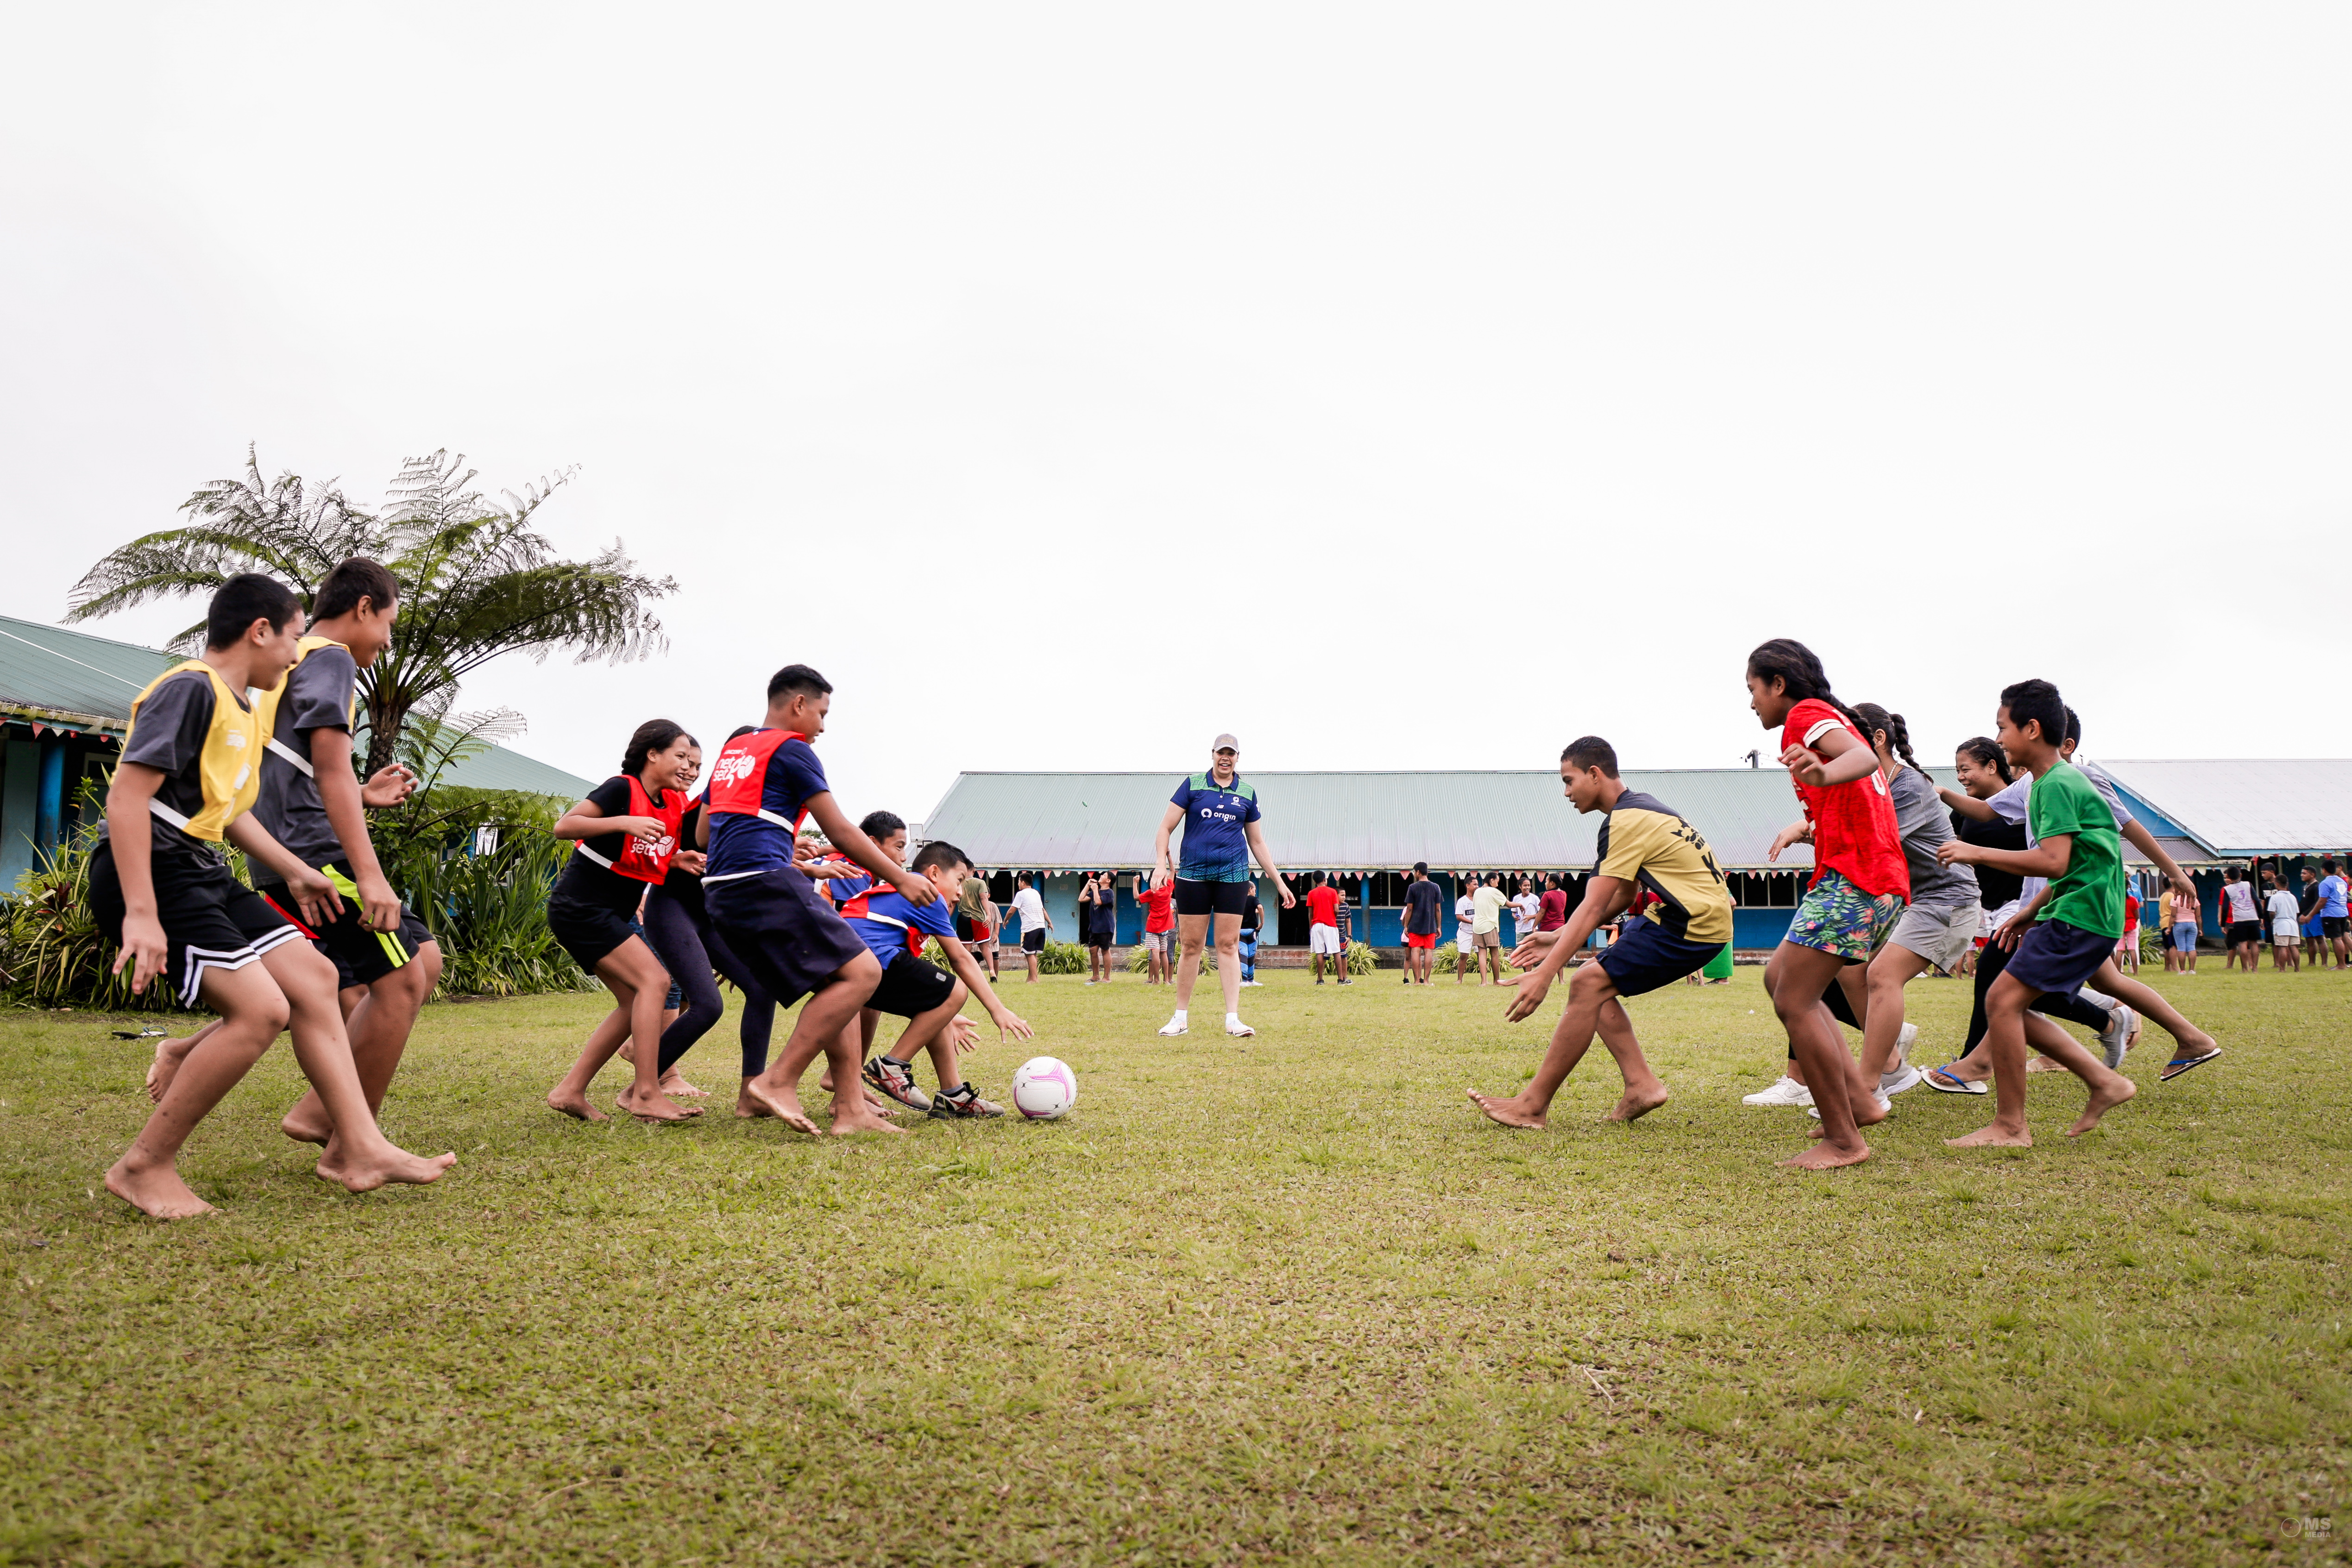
[1368,829]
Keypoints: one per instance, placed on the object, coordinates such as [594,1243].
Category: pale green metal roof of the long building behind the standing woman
[1358,822]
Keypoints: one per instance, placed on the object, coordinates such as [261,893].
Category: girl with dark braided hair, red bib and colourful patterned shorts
[1859,878]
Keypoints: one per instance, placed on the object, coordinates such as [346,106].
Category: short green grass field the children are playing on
[1264,1301]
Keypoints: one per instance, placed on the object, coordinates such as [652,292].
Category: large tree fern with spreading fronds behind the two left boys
[476,579]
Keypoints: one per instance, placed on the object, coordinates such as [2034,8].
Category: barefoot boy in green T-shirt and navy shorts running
[2076,930]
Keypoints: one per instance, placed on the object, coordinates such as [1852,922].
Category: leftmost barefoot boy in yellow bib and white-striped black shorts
[161,890]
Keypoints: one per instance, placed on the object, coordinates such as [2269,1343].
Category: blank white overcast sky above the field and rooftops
[1398,389]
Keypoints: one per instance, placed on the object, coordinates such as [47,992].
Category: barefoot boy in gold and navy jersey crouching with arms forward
[1645,845]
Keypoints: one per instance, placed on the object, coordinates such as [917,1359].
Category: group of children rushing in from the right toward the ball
[1906,878]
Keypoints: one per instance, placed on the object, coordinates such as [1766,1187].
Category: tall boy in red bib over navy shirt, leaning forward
[763,786]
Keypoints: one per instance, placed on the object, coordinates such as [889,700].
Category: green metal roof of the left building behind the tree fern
[88,683]
